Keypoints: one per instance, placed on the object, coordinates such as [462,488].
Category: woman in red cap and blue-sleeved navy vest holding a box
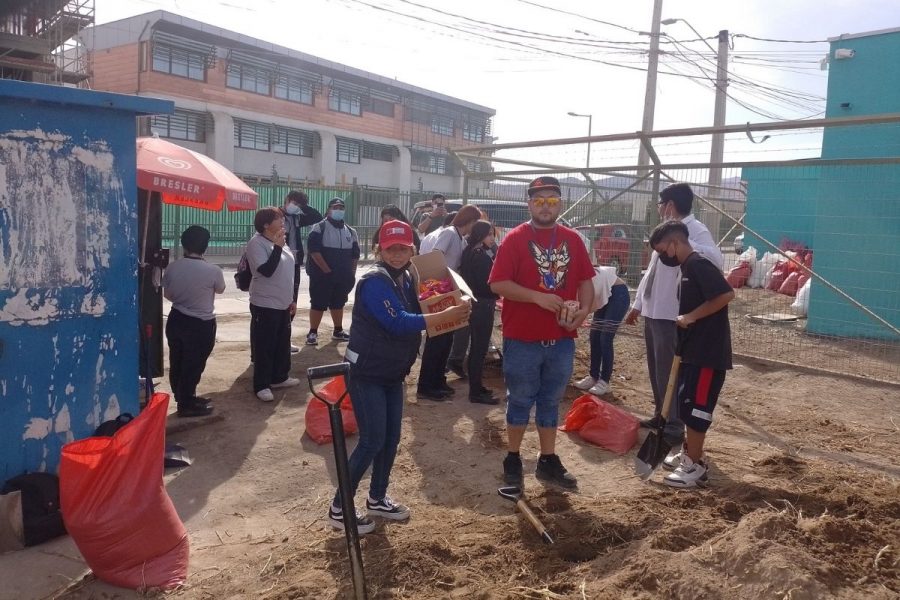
[384,342]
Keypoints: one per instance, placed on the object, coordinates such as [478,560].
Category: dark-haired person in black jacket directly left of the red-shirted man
[477,261]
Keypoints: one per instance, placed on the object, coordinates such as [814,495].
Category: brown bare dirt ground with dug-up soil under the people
[804,500]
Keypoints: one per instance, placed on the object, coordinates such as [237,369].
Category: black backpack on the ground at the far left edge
[41,518]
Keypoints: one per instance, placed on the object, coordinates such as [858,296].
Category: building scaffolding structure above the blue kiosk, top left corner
[41,41]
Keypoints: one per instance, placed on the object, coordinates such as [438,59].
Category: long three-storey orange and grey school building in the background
[269,112]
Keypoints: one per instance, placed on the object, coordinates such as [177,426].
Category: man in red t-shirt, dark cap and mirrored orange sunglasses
[543,272]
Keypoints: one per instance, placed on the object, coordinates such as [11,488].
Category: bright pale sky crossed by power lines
[533,62]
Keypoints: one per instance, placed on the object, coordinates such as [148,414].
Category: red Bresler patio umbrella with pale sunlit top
[189,178]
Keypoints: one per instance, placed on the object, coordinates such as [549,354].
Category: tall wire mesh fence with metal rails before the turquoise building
[797,201]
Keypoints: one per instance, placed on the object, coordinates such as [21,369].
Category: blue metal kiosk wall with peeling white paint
[68,267]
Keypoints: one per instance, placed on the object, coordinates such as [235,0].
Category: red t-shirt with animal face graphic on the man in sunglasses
[553,261]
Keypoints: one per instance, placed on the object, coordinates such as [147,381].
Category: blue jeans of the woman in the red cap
[379,412]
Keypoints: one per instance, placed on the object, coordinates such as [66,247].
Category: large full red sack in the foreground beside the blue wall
[116,508]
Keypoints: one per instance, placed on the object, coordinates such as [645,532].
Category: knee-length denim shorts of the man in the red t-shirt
[536,374]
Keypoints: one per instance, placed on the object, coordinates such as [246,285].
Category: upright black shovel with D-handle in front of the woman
[343,472]
